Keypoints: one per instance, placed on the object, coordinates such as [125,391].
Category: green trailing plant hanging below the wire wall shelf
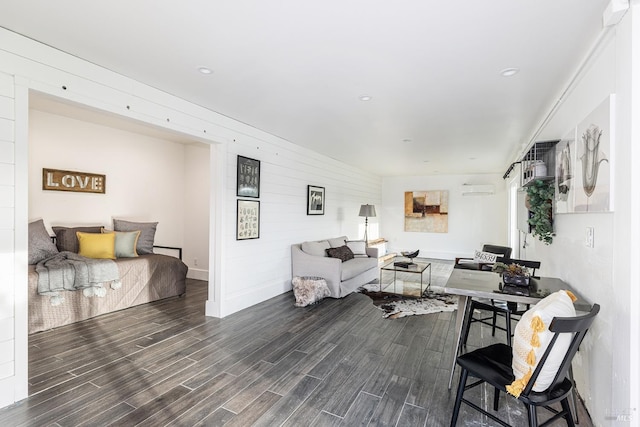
[540,198]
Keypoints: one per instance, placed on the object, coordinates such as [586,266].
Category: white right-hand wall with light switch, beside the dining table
[606,366]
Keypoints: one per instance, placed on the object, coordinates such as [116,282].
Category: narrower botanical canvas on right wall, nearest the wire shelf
[566,182]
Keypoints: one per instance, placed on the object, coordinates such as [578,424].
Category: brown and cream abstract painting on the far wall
[426,211]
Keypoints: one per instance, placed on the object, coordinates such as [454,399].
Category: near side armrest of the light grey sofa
[330,269]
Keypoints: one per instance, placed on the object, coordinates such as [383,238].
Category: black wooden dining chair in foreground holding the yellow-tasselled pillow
[492,364]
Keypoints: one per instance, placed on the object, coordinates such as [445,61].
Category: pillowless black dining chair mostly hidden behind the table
[509,310]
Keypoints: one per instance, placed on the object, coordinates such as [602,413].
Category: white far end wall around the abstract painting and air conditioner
[473,220]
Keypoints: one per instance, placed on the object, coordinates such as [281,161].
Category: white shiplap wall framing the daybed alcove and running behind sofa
[242,272]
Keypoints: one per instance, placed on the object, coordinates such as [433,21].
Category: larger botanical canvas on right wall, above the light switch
[592,177]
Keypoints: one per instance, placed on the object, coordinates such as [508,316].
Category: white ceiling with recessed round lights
[297,68]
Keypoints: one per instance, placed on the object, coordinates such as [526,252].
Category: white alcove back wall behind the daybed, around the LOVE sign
[145,176]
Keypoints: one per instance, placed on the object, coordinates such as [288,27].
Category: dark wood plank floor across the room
[164,363]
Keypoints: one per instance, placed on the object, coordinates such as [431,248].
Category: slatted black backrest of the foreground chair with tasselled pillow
[578,326]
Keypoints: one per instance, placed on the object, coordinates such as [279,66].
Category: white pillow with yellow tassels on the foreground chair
[532,337]
